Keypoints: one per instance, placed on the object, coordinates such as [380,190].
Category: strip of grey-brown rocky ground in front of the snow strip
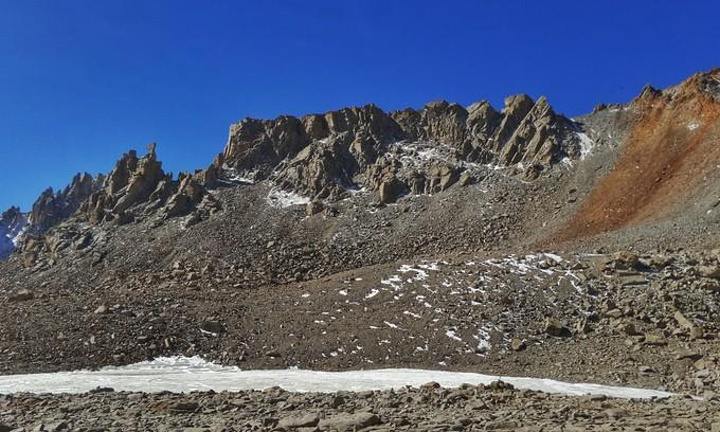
[430,408]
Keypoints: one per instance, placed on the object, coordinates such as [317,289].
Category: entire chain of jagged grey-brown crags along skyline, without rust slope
[323,157]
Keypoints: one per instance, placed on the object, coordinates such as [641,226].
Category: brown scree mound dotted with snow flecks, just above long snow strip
[479,313]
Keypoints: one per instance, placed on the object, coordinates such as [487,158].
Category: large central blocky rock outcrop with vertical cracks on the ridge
[325,156]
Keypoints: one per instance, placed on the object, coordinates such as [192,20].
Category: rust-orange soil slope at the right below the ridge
[671,153]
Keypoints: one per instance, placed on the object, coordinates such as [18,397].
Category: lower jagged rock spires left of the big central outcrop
[136,188]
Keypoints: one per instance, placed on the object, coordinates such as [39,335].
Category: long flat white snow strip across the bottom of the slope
[185,374]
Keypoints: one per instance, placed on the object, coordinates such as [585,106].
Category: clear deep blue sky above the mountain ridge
[83,81]
